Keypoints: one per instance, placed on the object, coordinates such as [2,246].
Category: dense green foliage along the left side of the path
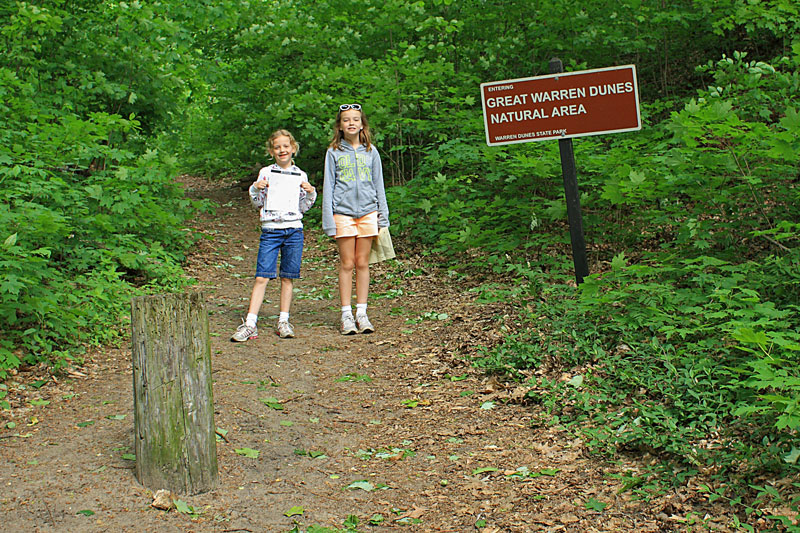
[88,213]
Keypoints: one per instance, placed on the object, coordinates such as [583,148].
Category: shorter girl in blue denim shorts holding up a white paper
[281,230]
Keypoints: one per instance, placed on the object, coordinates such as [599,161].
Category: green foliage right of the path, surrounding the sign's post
[686,344]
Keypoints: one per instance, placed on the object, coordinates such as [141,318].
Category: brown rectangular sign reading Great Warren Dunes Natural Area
[561,106]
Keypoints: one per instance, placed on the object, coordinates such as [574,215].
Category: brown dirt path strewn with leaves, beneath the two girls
[389,427]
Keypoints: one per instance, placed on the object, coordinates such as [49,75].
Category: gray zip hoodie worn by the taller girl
[353,185]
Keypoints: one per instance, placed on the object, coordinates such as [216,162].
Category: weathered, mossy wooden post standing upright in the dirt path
[174,437]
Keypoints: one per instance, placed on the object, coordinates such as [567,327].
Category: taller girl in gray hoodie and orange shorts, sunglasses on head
[353,208]
